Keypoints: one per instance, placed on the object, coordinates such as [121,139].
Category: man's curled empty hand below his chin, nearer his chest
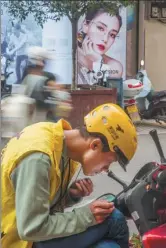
[81,188]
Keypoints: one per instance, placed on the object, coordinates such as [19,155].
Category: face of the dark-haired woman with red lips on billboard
[102,31]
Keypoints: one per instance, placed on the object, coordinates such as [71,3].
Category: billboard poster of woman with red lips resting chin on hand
[101,42]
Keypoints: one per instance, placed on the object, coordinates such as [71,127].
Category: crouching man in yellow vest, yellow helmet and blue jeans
[37,167]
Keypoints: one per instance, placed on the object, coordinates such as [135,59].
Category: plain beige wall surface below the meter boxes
[155,53]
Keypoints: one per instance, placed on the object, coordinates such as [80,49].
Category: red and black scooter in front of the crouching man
[144,200]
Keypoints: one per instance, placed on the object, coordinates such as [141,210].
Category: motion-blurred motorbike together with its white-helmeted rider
[33,101]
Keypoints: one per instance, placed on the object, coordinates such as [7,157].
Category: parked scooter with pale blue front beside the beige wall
[152,105]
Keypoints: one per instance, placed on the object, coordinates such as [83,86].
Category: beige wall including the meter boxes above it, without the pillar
[155,42]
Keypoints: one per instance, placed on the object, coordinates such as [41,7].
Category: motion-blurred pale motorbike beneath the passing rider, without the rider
[19,110]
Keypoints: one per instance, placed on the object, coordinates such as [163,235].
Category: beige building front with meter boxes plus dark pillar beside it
[147,40]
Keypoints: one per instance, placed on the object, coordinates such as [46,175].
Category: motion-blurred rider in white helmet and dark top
[41,85]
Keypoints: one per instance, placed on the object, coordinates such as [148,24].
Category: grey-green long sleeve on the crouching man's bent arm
[34,222]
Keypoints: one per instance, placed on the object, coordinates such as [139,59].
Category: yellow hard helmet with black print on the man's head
[111,121]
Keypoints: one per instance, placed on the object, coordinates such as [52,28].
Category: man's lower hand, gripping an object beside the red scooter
[101,209]
